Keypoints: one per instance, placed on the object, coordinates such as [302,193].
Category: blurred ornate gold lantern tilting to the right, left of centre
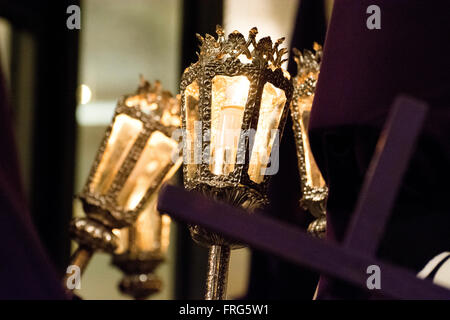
[134,158]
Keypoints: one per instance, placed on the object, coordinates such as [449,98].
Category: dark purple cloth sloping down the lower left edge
[25,270]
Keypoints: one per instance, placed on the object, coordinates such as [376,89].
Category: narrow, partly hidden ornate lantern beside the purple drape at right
[313,186]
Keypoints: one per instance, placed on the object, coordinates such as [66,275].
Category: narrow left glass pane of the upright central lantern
[193,128]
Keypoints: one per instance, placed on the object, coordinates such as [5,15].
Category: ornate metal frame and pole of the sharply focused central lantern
[221,57]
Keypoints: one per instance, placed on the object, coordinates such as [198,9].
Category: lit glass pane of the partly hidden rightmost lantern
[313,175]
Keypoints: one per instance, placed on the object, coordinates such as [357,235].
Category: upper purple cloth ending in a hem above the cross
[363,70]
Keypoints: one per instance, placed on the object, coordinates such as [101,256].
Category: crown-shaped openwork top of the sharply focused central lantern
[264,52]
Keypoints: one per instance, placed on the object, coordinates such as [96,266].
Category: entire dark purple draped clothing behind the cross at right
[362,72]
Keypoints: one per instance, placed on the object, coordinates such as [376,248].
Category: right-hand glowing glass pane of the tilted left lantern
[156,156]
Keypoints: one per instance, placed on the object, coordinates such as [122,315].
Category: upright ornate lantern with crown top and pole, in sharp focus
[233,112]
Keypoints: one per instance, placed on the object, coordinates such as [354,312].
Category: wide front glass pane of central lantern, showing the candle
[228,100]
